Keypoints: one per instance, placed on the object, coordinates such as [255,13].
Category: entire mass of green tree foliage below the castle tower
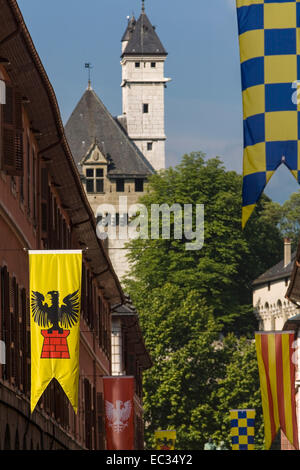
[189,300]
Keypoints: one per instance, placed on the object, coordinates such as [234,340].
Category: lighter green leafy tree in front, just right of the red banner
[182,338]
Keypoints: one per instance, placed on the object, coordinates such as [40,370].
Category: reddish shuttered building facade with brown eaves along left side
[44,206]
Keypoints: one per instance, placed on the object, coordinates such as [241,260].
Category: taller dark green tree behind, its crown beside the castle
[224,269]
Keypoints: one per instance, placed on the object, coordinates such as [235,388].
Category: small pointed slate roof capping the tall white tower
[144,40]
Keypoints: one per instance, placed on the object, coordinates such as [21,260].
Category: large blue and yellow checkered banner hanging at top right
[269,36]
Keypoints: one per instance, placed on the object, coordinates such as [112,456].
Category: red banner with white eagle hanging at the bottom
[119,412]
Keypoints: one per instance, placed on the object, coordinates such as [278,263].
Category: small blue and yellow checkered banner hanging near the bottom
[242,429]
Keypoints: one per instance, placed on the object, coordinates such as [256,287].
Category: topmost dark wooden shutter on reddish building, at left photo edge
[12,133]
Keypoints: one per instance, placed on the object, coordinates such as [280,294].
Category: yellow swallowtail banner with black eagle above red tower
[55,294]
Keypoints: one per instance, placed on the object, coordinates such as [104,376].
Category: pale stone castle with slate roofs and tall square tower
[116,156]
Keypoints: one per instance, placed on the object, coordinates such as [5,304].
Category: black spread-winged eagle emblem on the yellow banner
[55,315]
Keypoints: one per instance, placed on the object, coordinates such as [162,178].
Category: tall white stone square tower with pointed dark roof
[143,88]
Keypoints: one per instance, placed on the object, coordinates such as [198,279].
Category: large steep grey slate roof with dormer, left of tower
[91,121]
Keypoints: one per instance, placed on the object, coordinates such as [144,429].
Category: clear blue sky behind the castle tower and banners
[203,100]
